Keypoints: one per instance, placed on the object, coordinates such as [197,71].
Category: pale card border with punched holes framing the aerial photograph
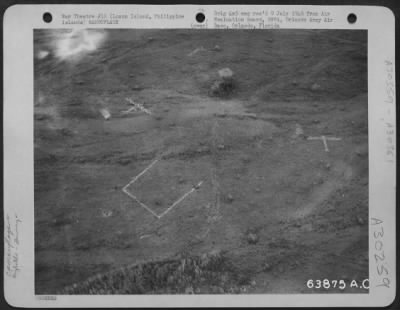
[19,22]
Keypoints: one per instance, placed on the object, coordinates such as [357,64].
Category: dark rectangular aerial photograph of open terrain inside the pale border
[200,162]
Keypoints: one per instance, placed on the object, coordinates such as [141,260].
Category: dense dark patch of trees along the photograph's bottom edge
[208,273]
